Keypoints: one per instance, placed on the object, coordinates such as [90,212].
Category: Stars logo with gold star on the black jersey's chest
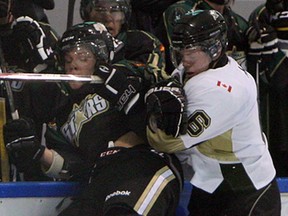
[90,107]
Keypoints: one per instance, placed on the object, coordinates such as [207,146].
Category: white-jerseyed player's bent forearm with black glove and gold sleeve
[166,116]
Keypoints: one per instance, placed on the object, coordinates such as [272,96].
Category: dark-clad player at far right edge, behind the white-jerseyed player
[268,62]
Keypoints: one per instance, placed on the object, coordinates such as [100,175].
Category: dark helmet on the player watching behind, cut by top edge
[122,5]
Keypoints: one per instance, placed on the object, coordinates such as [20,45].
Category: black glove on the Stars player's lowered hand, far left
[21,143]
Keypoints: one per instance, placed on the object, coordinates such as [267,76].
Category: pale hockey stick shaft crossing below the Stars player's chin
[38,77]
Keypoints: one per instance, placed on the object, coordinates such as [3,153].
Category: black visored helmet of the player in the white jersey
[206,29]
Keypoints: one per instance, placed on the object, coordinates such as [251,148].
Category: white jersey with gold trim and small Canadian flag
[223,128]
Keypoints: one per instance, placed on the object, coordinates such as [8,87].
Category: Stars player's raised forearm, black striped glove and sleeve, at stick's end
[125,84]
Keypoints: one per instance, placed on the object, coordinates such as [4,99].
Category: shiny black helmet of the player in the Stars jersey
[91,34]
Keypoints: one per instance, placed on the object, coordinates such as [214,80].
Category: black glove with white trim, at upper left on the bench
[34,46]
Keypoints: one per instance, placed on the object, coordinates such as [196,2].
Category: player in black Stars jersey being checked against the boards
[90,133]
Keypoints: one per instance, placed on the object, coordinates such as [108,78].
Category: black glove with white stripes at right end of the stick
[122,87]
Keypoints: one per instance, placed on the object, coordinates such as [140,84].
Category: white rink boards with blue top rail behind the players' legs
[49,198]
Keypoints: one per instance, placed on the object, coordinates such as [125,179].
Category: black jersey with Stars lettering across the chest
[84,123]
